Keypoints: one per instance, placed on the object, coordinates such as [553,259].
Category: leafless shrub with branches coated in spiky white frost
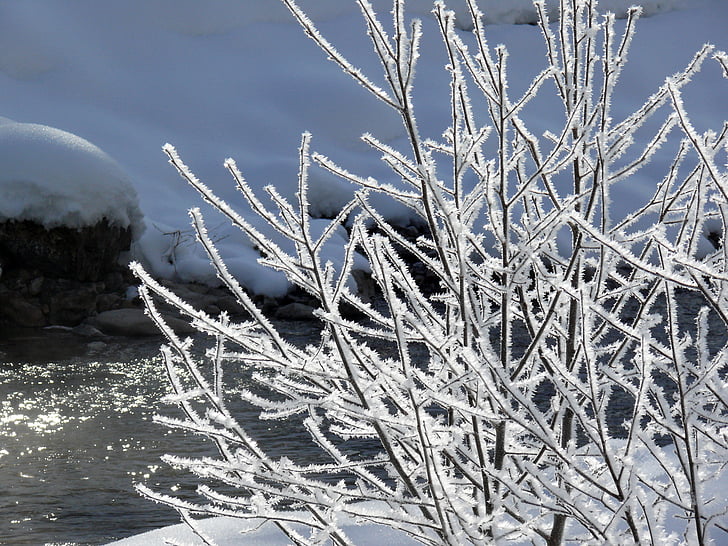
[546,393]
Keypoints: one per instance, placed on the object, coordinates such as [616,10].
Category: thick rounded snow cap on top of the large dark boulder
[56,178]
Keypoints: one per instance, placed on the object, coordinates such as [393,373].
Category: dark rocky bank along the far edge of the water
[77,279]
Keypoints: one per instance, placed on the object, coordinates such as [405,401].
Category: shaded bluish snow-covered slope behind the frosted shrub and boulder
[225,78]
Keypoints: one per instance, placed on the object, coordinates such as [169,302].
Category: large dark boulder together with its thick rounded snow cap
[66,208]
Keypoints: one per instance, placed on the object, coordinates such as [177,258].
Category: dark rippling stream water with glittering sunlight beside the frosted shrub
[76,433]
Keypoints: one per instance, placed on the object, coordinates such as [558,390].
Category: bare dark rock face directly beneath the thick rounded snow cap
[85,254]
